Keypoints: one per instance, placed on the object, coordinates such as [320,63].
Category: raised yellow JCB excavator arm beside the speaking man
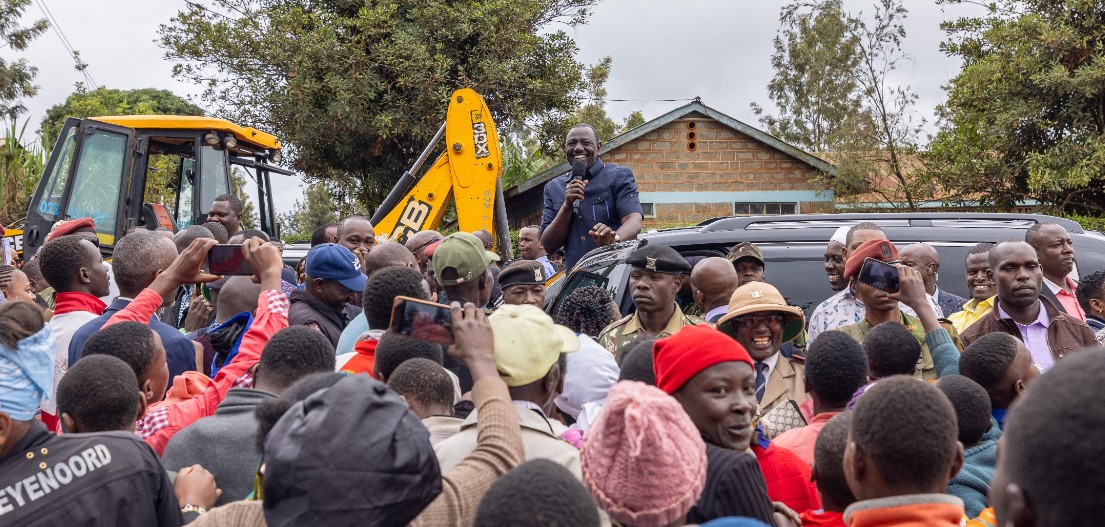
[469,173]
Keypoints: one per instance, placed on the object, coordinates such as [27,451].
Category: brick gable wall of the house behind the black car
[717,160]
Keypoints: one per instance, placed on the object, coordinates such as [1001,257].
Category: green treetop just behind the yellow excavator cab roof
[113,102]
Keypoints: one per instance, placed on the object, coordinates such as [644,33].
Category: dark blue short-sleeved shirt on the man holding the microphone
[611,196]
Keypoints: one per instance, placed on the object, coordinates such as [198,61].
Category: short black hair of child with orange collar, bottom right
[908,430]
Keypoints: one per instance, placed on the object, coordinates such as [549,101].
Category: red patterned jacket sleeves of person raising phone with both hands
[159,426]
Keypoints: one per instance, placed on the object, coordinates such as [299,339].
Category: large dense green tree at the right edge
[1026,117]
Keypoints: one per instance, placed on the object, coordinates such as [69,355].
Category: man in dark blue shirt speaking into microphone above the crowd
[609,206]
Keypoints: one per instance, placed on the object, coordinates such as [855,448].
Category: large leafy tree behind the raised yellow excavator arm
[359,88]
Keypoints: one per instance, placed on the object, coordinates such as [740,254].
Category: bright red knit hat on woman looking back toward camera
[694,349]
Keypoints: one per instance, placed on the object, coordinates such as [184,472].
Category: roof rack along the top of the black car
[966,220]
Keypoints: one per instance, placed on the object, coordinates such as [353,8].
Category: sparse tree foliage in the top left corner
[17,78]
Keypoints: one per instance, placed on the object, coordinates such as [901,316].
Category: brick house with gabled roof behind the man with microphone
[694,164]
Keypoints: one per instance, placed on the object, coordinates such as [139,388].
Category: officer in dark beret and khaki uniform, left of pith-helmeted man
[656,278]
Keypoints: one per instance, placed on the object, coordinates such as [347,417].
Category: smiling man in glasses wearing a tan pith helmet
[761,320]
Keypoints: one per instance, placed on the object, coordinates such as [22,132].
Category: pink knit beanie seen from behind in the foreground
[644,460]
